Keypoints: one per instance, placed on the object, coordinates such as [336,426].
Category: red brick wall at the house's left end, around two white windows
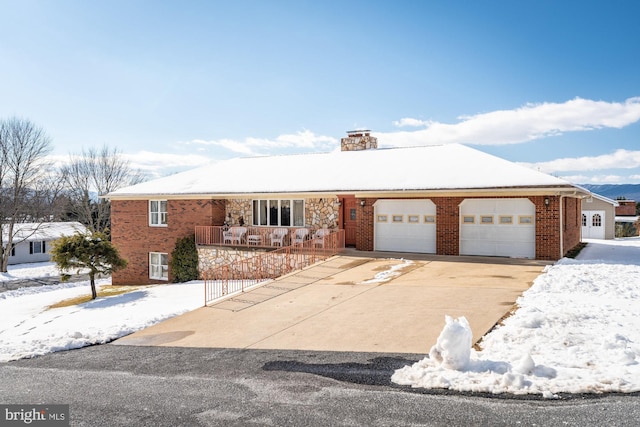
[134,238]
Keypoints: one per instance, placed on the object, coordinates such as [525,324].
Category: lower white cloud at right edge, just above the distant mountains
[619,159]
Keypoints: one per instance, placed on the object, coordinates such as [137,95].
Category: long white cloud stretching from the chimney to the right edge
[527,123]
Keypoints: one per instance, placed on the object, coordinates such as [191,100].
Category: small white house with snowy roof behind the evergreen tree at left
[32,241]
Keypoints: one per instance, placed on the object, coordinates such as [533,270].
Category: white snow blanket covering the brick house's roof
[442,167]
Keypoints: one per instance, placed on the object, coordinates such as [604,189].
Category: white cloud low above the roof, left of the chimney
[253,146]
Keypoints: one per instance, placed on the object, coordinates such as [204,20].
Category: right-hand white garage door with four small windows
[498,227]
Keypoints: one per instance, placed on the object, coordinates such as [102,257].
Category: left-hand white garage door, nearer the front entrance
[405,226]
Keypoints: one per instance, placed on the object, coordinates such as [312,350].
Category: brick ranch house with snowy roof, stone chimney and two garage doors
[446,200]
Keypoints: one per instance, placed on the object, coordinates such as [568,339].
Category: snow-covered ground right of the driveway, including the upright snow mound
[577,330]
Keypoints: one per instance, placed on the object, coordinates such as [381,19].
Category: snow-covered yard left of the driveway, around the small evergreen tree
[29,328]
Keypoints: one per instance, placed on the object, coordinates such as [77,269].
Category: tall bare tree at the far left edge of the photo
[23,150]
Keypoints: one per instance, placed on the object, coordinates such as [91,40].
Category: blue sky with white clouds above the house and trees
[175,85]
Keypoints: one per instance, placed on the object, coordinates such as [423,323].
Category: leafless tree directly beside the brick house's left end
[91,174]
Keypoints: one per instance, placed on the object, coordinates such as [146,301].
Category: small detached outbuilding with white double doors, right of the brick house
[598,217]
